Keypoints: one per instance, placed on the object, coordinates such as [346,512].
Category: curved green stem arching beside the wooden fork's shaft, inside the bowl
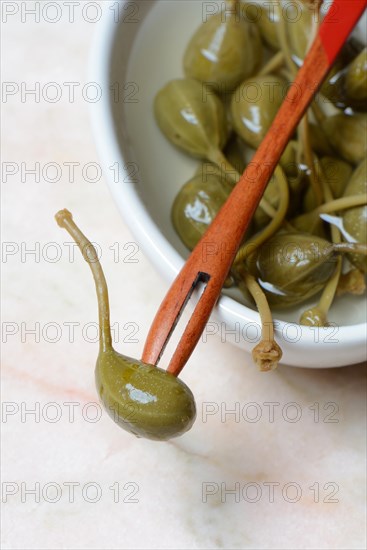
[253,243]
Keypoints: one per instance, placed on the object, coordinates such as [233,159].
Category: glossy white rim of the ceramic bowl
[144,229]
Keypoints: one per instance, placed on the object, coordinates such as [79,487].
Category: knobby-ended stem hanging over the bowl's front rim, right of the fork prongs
[267,353]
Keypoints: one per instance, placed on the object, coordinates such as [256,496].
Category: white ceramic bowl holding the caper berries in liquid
[138,48]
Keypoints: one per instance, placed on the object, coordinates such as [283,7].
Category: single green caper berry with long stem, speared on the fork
[141,398]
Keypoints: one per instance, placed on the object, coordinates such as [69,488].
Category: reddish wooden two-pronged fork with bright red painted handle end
[224,235]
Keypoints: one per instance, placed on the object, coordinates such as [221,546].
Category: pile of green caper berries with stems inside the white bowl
[308,235]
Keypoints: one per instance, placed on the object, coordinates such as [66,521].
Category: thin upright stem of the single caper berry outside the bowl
[64,219]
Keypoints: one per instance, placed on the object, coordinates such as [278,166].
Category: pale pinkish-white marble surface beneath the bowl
[274,460]
